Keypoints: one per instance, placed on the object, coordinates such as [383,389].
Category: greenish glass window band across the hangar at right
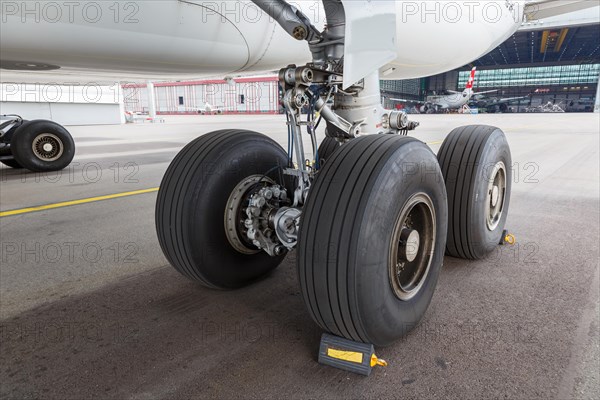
[580,74]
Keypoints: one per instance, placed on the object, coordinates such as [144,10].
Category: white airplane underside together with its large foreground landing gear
[370,226]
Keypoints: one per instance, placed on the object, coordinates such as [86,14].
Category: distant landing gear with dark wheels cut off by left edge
[37,145]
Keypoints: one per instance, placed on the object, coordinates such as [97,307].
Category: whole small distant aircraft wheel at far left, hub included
[42,146]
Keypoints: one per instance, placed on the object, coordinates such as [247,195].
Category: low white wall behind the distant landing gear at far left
[66,105]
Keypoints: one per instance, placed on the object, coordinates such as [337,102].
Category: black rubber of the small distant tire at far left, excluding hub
[24,136]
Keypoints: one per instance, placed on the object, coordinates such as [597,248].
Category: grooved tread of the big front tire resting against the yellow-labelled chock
[349,175]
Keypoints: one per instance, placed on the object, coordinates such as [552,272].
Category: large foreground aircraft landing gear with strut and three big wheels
[369,219]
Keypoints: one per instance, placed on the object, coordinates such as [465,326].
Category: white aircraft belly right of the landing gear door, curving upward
[438,36]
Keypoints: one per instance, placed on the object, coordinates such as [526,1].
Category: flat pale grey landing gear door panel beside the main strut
[370,37]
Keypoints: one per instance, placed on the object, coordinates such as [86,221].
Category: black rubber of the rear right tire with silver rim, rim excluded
[466,157]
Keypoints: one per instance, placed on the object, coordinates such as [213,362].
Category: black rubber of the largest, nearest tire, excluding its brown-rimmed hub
[346,232]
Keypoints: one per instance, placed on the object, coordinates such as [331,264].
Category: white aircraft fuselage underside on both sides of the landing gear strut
[175,39]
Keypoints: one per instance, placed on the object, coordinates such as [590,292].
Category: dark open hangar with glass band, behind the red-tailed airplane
[557,62]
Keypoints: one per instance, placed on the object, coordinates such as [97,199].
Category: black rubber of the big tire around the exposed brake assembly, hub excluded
[191,206]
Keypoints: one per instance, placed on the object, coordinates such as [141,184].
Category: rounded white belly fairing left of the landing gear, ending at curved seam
[164,36]
